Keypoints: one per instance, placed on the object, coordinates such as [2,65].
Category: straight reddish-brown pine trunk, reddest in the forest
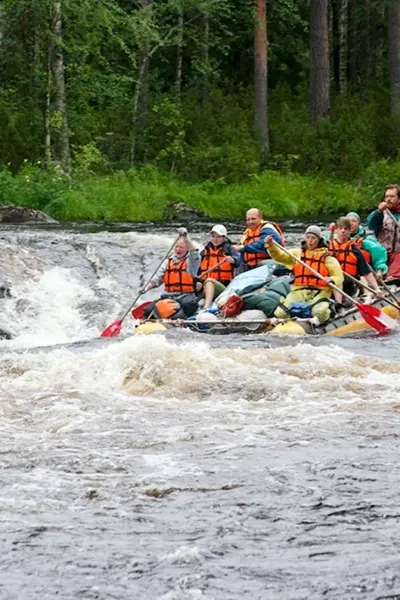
[261,78]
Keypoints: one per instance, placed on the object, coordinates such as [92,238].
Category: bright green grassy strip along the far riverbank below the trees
[141,195]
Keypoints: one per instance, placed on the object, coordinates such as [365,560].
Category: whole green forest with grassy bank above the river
[116,109]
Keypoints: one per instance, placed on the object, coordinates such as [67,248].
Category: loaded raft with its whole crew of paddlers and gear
[334,285]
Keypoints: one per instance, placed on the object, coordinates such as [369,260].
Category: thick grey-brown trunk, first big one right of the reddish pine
[319,60]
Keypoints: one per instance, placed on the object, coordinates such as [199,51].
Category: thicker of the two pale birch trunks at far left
[62,153]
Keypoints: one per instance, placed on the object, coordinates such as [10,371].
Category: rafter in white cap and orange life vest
[218,262]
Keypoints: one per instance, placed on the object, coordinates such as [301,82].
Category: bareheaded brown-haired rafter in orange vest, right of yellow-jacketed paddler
[350,258]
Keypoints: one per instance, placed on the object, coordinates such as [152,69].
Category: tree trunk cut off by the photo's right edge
[394,56]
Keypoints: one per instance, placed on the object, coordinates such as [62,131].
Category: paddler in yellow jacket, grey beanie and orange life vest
[306,287]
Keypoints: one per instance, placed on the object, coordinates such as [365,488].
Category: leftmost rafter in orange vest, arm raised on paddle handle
[178,276]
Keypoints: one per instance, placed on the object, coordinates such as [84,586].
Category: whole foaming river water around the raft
[181,466]
